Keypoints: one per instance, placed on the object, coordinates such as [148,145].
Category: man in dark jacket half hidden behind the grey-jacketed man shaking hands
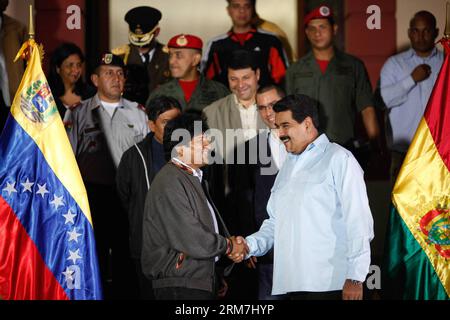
[135,173]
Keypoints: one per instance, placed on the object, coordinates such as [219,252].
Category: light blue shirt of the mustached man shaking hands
[320,223]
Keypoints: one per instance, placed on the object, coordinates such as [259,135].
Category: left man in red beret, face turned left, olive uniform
[189,87]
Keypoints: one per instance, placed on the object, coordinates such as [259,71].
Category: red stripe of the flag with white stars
[23,273]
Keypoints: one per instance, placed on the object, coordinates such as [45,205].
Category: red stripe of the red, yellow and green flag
[437,114]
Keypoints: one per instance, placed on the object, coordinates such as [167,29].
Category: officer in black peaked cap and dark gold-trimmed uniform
[146,59]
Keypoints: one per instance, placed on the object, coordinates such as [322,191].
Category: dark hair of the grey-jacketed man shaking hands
[186,122]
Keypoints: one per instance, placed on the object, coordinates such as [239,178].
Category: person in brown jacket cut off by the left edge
[12,35]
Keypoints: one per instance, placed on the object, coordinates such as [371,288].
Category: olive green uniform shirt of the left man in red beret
[207,92]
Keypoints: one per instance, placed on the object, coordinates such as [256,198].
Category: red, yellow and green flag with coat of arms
[419,230]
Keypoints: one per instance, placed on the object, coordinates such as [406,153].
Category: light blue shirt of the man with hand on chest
[406,101]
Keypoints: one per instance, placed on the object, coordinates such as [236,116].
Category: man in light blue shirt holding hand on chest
[407,80]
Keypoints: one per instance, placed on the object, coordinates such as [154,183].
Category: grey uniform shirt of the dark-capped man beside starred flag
[99,140]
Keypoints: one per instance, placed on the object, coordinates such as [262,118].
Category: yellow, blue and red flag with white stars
[47,246]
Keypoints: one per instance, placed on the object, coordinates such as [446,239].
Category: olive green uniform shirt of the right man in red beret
[341,92]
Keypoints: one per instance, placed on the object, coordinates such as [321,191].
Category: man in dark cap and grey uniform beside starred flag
[103,127]
